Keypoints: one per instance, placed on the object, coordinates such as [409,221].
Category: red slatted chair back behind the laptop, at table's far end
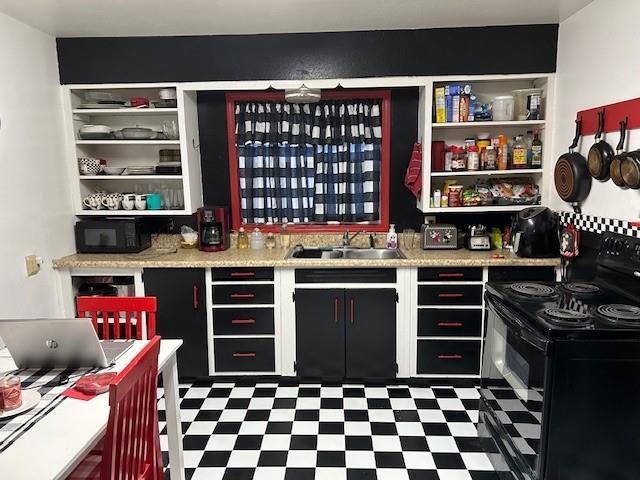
[133,308]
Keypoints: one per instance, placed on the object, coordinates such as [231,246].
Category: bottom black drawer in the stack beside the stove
[448,357]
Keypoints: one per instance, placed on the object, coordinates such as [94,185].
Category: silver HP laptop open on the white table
[58,343]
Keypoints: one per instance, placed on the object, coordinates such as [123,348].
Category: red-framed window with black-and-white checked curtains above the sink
[321,166]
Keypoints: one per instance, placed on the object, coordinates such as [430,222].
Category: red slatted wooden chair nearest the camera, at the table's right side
[131,447]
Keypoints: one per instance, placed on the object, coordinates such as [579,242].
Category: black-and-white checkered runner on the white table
[47,382]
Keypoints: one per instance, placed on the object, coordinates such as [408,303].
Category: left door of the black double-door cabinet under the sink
[320,333]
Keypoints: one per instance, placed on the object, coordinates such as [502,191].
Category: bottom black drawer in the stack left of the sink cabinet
[244,355]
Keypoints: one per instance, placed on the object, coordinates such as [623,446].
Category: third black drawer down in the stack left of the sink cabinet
[243,321]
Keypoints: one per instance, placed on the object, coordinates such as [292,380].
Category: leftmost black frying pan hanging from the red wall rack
[571,175]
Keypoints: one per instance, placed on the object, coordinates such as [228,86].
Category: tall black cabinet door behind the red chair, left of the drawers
[182,314]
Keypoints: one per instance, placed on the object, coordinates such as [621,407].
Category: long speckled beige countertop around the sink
[192,258]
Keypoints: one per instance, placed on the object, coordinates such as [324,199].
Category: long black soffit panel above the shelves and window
[443,51]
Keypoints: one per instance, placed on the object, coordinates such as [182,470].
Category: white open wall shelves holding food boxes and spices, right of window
[485,87]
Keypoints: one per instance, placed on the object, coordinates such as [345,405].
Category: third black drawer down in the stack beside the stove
[442,322]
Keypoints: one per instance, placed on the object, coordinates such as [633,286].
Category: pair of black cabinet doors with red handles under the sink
[346,333]
